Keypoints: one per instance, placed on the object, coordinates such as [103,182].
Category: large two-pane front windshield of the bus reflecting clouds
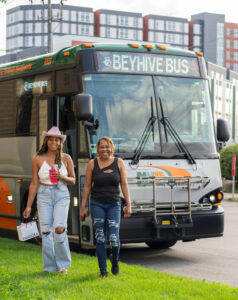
[124,104]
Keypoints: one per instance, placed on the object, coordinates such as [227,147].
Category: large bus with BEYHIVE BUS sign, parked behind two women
[153,102]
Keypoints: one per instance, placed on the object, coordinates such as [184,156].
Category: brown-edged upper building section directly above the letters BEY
[118,25]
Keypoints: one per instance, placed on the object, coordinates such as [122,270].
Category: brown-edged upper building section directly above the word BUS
[166,30]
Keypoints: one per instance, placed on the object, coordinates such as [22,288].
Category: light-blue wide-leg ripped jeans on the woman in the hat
[53,206]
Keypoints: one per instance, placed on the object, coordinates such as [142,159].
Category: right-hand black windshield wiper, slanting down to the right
[178,142]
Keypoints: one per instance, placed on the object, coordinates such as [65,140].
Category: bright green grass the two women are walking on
[21,277]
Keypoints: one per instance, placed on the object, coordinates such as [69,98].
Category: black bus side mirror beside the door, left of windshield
[83,107]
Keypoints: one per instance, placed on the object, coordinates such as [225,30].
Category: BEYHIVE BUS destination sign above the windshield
[127,62]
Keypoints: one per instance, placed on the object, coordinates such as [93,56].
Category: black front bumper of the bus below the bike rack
[142,228]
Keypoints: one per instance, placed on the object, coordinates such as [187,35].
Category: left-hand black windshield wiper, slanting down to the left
[143,140]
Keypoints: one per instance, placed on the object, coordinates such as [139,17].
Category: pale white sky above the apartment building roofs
[174,8]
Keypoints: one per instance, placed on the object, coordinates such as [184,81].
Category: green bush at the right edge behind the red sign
[226,160]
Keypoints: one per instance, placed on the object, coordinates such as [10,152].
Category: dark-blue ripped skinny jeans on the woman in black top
[106,216]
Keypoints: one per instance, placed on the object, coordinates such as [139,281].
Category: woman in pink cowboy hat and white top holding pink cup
[52,171]
